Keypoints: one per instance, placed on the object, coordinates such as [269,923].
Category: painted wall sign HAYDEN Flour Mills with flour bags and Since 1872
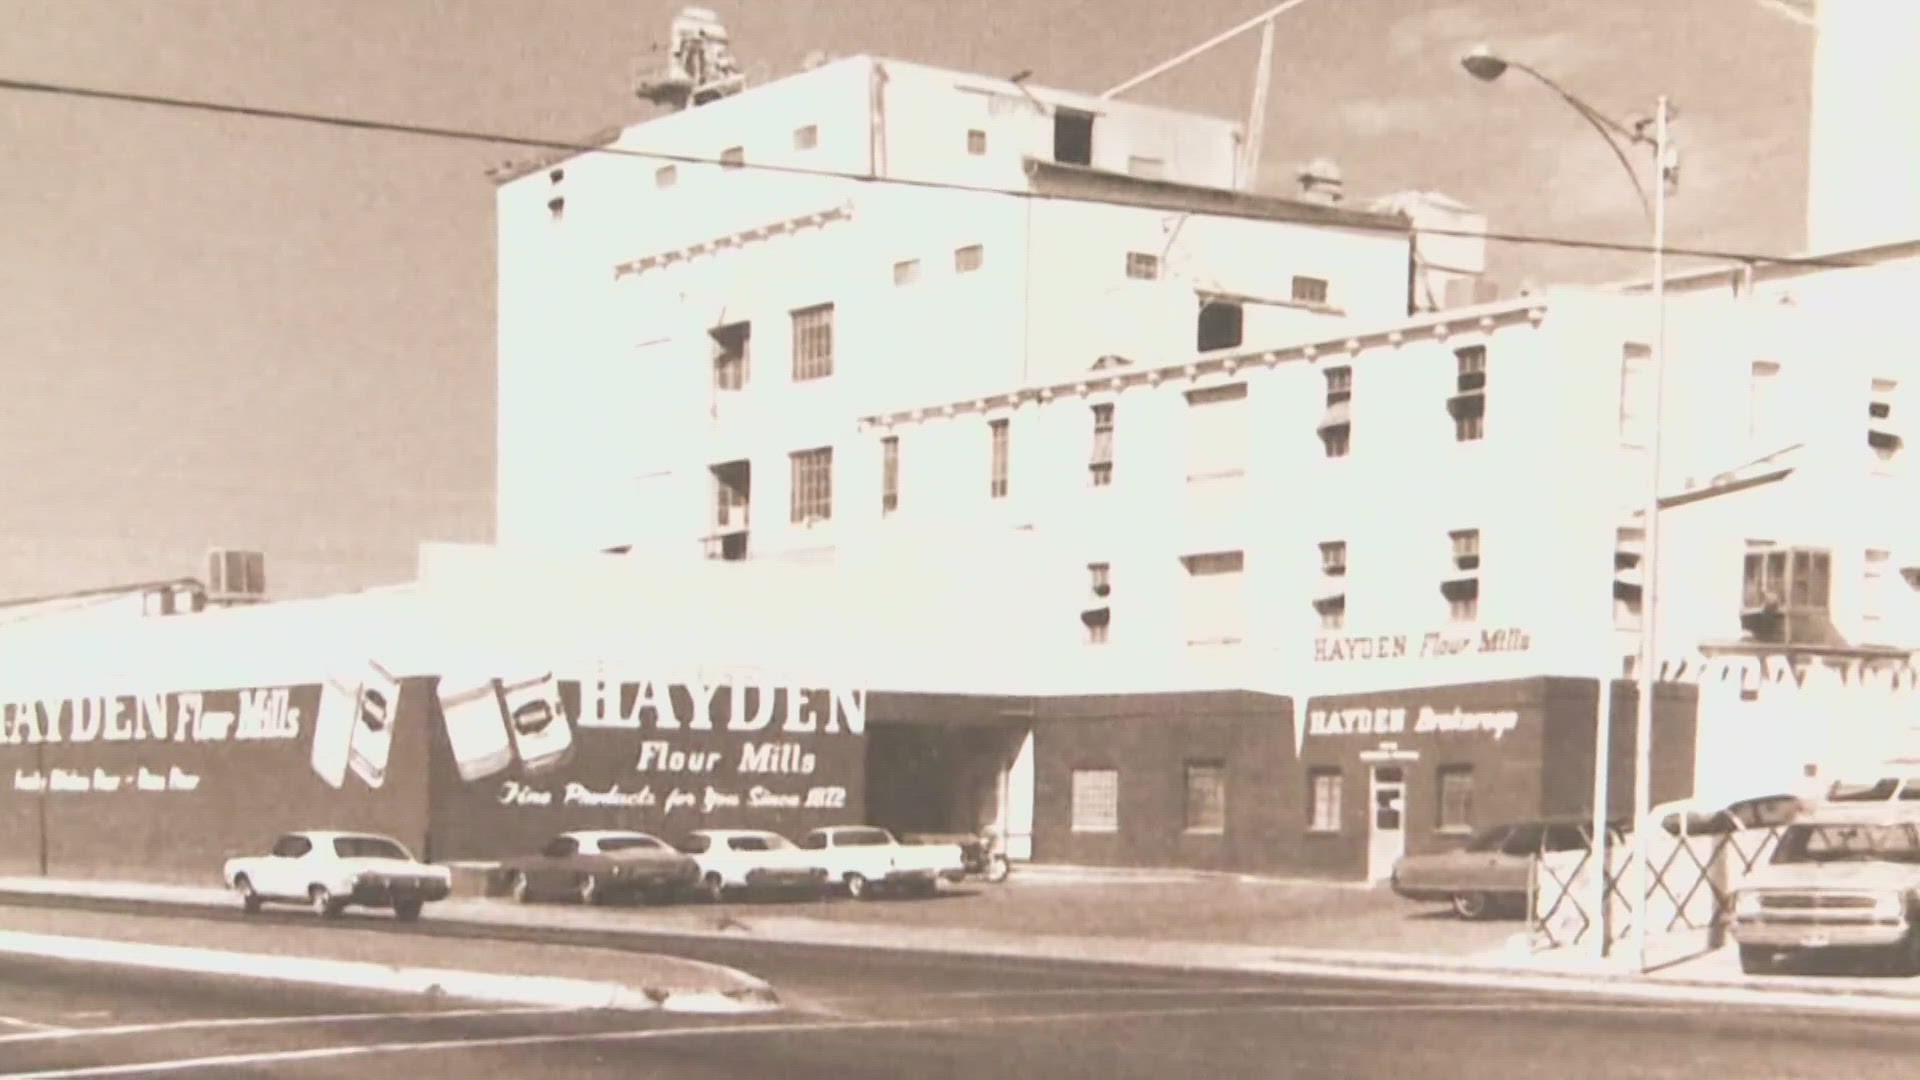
[700,745]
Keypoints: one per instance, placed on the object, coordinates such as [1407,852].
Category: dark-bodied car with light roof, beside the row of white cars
[600,864]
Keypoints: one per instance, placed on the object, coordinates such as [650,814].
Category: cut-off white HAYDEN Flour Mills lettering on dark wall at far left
[153,725]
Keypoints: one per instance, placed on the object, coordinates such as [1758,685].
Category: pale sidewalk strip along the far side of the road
[909,927]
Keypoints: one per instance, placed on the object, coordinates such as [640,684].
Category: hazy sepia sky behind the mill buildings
[224,331]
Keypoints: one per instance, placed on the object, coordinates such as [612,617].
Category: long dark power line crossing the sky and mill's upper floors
[573,147]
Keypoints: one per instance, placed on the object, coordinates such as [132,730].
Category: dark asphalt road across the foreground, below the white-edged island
[921,1018]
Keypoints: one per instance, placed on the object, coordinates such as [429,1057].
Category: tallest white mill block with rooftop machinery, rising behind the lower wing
[692,320]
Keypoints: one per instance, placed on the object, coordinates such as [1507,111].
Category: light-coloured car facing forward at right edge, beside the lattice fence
[1844,879]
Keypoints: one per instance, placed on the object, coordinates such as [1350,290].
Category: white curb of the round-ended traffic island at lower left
[421,981]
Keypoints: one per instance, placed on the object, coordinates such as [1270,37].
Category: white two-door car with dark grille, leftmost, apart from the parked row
[331,871]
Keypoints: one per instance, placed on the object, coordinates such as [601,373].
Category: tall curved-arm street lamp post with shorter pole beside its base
[1485,66]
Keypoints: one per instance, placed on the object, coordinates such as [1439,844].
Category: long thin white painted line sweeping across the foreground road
[711,1031]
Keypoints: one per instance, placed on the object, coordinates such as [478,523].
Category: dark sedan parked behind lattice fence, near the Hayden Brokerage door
[1493,871]
